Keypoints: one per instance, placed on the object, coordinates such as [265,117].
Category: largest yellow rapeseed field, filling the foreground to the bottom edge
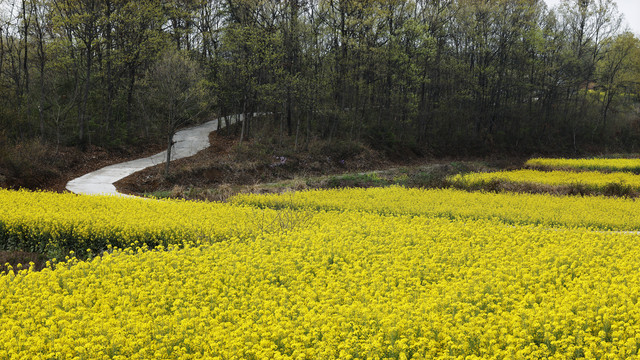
[352,285]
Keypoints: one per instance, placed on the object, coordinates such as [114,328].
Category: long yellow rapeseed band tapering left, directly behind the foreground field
[596,212]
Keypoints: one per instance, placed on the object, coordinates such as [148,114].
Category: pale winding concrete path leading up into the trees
[188,142]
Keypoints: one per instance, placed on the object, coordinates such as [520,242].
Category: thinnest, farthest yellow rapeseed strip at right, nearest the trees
[628,165]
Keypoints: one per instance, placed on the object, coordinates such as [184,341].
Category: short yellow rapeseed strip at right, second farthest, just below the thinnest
[592,180]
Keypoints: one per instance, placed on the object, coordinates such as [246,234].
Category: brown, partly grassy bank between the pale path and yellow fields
[227,168]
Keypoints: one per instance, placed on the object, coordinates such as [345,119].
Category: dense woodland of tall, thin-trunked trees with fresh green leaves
[449,76]
